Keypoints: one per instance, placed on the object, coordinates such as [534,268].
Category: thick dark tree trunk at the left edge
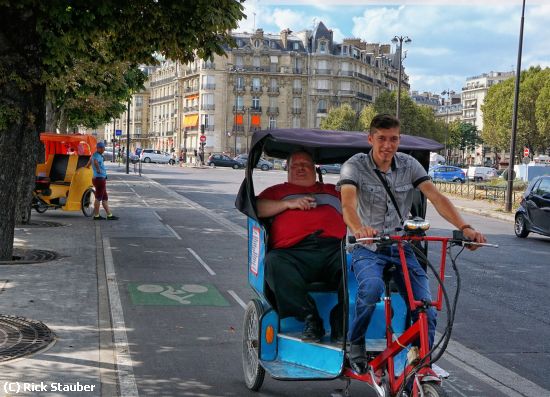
[21,115]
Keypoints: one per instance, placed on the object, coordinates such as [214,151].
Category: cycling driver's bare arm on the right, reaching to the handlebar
[447,210]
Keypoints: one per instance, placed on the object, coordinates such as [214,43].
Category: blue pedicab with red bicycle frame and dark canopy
[399,357]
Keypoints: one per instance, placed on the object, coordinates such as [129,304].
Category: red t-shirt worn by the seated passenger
[292,226]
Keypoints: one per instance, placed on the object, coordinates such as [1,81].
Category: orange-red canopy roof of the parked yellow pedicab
[83,145]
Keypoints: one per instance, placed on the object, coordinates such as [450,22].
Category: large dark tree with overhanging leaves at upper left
[40,40]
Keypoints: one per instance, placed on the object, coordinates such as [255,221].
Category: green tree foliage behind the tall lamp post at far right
[533,118]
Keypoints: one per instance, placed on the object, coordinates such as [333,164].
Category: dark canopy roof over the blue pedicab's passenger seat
[325,146]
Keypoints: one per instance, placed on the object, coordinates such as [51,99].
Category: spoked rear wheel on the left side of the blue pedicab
[253,371]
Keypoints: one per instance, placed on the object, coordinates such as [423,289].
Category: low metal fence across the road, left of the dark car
[479,191]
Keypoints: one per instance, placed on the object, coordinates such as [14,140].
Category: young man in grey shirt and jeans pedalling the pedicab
[369,211]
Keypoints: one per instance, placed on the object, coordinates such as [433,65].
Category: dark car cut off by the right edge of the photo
[533,214]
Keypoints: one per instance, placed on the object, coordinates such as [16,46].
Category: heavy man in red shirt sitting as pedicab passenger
[305,236]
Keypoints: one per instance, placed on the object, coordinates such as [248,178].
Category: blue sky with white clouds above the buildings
[451,40]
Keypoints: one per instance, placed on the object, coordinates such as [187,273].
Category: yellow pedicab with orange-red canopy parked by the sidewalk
[63,181]
